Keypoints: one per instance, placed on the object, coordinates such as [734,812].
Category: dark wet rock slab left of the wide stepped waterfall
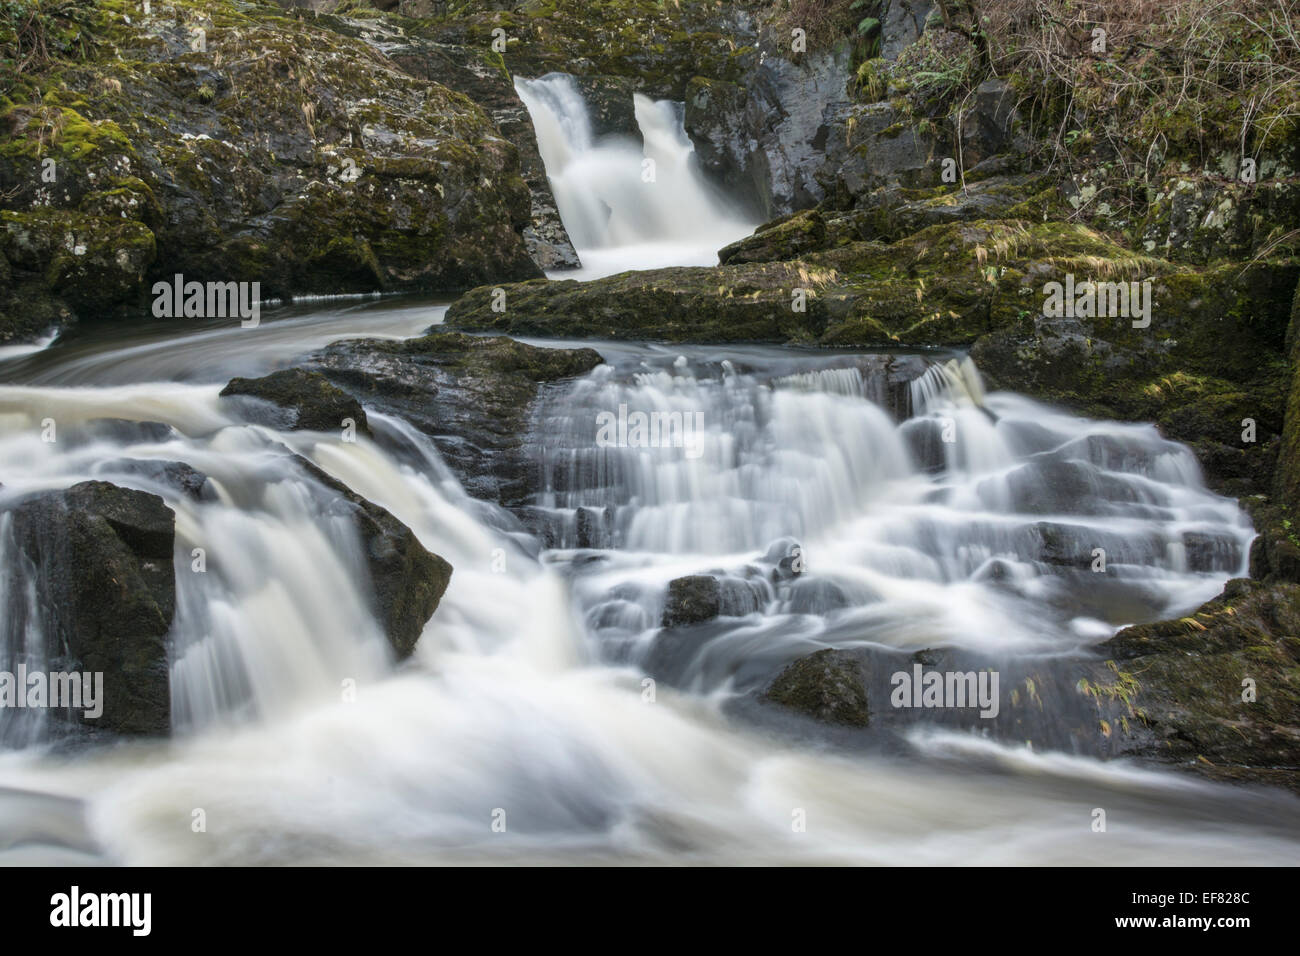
[473,396]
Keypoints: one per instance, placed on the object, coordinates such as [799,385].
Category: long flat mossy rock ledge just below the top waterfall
[928,289]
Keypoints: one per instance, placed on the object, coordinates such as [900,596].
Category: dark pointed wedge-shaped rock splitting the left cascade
[408,579]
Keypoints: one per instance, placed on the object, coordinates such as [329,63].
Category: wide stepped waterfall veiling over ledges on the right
[926,513]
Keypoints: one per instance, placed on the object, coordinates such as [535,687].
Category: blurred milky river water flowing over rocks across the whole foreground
[925,511]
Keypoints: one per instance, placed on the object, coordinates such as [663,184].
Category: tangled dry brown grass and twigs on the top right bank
[1175,75]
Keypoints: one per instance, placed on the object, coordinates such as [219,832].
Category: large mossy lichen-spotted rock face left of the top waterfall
[237,145]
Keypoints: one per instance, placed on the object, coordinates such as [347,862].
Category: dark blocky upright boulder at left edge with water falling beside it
[101,561]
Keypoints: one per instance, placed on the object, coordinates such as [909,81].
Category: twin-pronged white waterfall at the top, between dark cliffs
[627,206]
